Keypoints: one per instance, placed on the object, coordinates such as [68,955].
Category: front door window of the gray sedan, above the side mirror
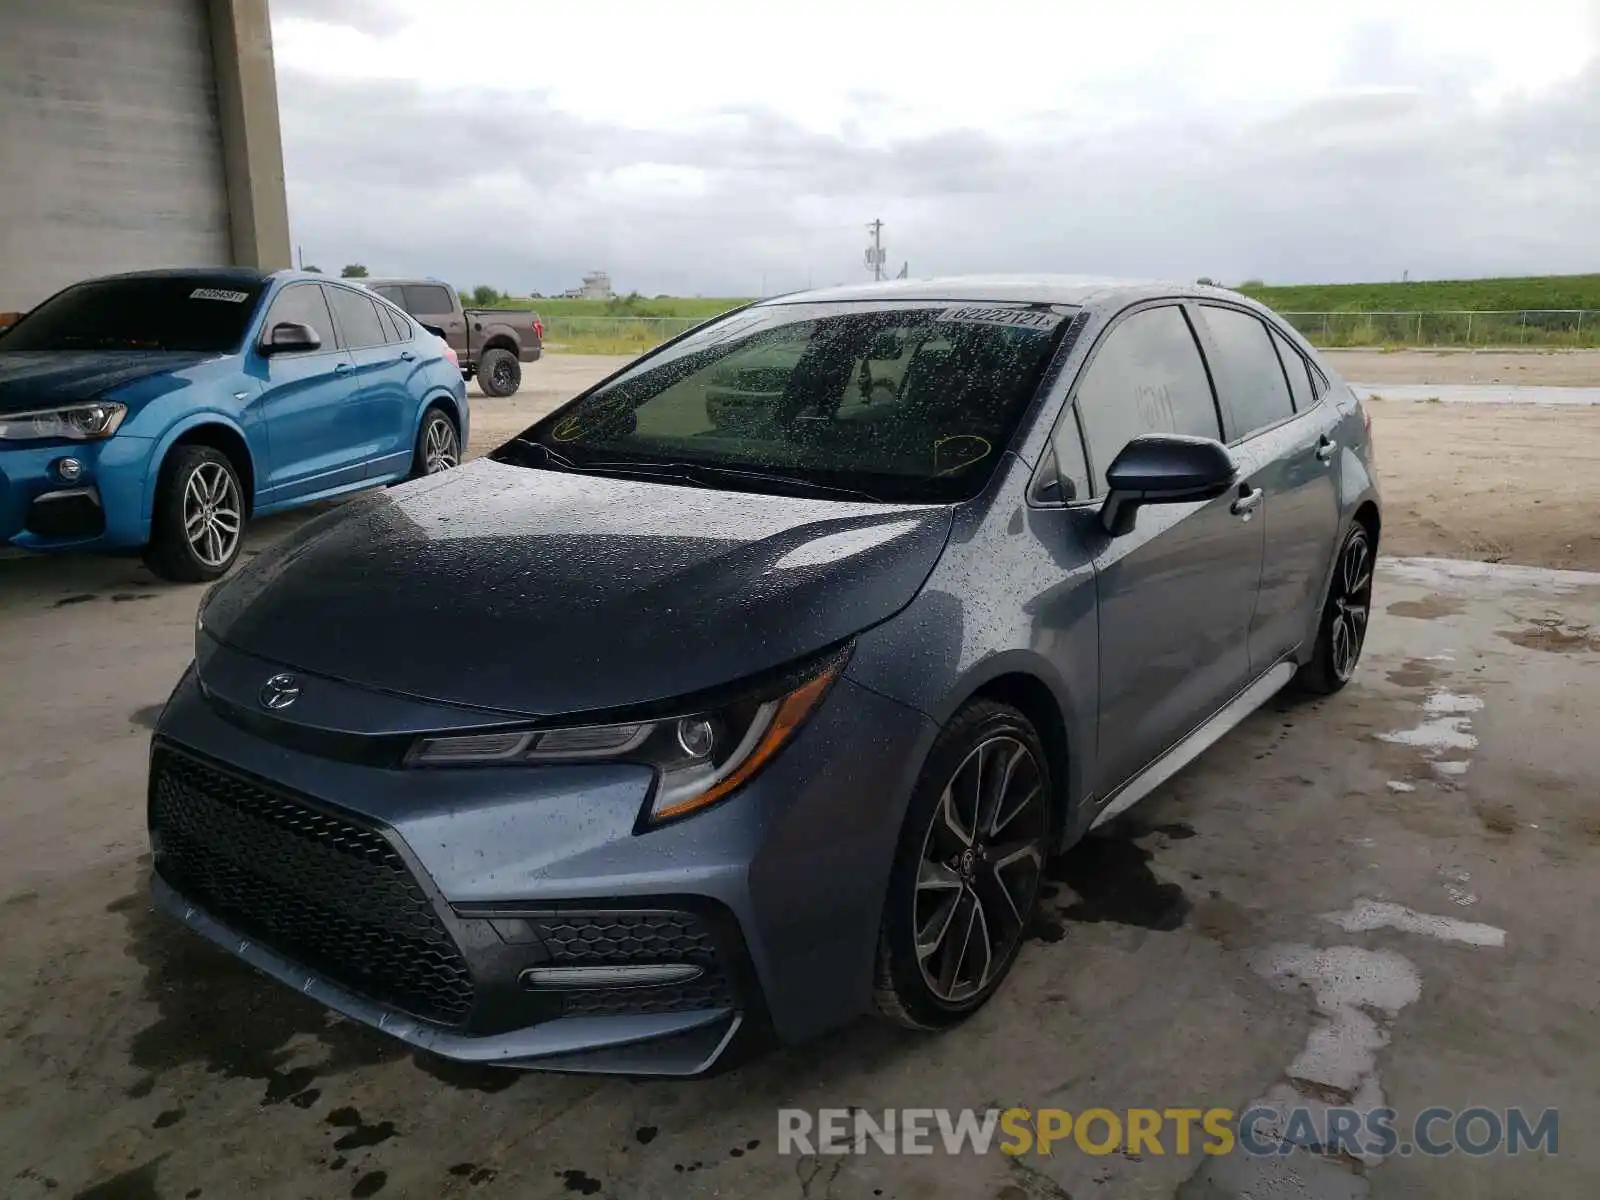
[1146,378]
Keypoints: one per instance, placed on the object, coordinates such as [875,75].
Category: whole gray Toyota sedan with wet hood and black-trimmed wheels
[750,690]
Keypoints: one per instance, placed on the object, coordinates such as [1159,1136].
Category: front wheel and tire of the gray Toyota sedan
[938,876]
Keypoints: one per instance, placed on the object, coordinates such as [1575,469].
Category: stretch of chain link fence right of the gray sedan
[1518,327]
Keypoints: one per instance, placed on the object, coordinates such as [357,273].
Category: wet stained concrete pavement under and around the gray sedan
[1183,959]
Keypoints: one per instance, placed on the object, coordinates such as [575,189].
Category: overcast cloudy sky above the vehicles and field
[735,146]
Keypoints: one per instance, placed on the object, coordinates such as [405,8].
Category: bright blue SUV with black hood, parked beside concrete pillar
[162,410]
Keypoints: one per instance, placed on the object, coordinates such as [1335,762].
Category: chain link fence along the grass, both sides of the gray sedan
[1481,329]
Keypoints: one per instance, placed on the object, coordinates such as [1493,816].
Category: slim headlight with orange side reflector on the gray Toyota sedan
[700,758]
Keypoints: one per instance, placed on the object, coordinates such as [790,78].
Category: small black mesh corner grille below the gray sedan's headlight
[602,938]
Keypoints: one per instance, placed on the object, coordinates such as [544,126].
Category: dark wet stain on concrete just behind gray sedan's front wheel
[1114,884]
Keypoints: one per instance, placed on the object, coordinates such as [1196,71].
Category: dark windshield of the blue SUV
[169,313]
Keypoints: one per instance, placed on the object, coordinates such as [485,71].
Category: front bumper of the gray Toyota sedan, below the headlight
[775,895]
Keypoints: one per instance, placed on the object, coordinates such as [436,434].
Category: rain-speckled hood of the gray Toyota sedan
[540,593]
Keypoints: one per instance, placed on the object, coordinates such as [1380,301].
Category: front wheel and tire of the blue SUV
[198,494]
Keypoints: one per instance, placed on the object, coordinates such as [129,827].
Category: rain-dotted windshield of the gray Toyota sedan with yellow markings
[895,401]
